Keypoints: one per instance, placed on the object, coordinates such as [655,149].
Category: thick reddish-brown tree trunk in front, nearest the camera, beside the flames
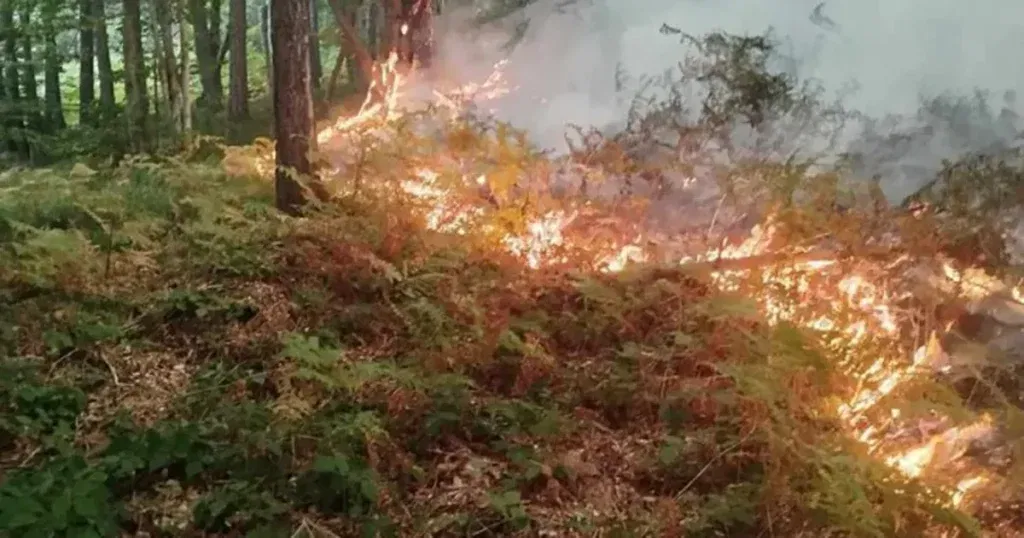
[293,103]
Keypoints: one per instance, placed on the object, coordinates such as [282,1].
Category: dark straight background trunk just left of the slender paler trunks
[136,76]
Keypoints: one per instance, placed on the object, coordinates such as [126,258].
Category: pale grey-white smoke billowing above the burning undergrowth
[569,67]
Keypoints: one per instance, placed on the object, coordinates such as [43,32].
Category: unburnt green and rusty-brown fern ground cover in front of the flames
[181,360]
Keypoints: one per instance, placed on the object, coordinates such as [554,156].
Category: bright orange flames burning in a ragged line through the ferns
[868,311]
